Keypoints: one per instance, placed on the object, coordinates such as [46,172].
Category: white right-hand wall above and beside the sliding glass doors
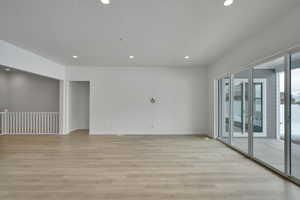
[278,37]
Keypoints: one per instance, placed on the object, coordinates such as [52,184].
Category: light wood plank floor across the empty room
[82,167]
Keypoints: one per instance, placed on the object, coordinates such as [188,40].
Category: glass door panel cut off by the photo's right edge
[295,115]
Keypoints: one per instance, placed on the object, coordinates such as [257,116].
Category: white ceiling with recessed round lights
[156,32]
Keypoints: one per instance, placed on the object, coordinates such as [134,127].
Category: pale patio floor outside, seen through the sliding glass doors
[271,151]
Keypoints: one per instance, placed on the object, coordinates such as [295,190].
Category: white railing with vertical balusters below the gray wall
[29,122]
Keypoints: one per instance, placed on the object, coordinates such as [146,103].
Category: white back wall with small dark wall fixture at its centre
[120,99]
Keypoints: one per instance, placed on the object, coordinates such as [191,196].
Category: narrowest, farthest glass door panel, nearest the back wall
[224,108]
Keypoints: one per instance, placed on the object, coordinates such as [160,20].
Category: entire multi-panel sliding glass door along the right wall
[259,113]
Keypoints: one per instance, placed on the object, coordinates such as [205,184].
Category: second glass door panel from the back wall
[240,110]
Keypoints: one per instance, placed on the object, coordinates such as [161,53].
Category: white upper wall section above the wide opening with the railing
[18,58]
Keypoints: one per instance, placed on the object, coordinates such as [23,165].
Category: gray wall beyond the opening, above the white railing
[26,92]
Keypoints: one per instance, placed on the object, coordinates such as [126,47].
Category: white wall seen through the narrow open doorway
[79,105]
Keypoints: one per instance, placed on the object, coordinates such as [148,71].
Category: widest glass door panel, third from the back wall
[268,112]
